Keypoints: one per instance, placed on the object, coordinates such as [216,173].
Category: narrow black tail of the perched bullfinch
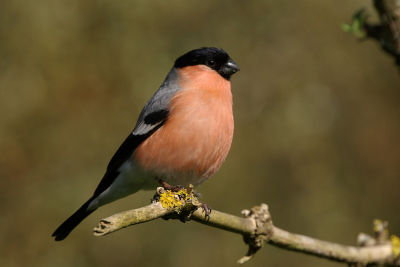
[63,231]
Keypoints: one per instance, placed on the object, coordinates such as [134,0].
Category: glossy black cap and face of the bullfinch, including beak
[214,58]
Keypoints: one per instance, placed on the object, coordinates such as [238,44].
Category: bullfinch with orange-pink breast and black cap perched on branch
[182,135]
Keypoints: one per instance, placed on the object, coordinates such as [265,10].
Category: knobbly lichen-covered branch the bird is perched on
[257,229]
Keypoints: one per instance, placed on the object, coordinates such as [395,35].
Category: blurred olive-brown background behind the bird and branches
[317,125]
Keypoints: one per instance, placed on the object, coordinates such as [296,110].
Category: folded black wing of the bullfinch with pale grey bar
[143,130]
